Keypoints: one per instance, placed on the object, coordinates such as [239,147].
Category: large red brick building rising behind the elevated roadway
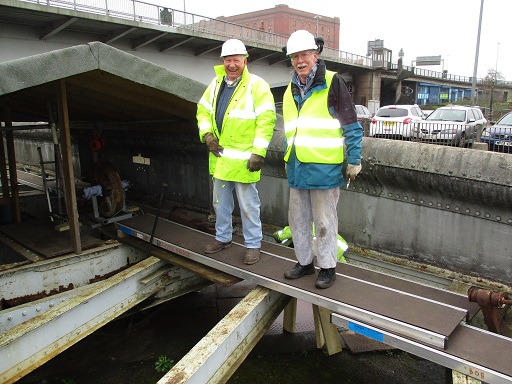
[283,20]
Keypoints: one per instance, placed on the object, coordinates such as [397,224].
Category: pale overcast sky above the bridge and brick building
[446,28]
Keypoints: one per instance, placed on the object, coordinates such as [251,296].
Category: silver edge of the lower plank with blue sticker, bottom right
[432,354]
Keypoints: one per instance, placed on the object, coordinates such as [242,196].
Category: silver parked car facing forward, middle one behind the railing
[453,125]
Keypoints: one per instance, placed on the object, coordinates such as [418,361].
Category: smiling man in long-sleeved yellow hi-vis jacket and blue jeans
[236,118]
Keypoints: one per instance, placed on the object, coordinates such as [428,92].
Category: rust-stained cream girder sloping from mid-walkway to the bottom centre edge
[216,357]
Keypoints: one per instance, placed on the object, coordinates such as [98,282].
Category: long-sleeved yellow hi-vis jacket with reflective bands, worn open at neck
[247,126]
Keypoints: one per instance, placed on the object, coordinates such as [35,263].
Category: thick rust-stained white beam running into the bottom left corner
[28,345]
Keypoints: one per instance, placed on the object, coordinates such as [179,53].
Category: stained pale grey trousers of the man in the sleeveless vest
[318,207]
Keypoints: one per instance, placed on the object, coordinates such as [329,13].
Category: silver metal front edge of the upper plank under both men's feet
[420,334]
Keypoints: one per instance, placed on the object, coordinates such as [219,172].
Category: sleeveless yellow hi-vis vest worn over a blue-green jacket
[315,134]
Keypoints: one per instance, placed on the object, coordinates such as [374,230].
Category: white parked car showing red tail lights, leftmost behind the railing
[396,121]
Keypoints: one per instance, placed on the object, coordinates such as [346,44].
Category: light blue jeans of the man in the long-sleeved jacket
[249,203]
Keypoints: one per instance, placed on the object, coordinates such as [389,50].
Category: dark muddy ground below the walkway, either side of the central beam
[126,350]
